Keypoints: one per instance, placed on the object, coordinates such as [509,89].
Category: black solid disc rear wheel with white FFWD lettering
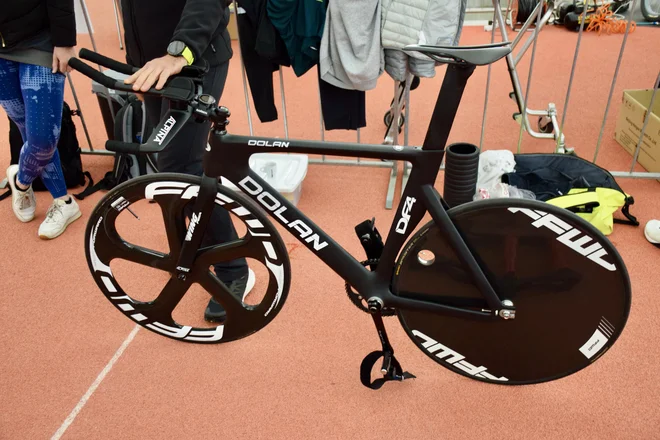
[569,310]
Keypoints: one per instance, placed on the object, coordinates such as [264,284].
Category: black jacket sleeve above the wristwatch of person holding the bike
[199,21]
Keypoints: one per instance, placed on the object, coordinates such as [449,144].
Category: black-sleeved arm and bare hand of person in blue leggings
[62,27]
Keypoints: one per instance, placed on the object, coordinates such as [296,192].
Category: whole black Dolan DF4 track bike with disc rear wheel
[504,291]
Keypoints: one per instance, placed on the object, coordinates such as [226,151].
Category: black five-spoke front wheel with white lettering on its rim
[138,229]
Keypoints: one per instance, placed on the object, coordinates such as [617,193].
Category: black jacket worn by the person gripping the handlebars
[150,26]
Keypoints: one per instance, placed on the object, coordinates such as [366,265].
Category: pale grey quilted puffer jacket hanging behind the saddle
[404,22]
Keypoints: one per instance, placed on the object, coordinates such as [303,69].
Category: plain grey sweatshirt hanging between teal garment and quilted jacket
[351,54]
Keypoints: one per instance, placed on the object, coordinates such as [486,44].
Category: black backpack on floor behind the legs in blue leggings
[67,147]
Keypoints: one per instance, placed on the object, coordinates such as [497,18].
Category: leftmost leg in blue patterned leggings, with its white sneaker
[11,100]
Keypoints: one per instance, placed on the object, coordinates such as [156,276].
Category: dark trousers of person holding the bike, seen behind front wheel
[184,155]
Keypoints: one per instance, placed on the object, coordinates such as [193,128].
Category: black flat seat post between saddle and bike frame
[446,106]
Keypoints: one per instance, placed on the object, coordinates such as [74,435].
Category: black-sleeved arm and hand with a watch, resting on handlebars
[199,21]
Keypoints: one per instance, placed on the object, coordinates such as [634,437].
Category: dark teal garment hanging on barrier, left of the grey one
[300,25]
